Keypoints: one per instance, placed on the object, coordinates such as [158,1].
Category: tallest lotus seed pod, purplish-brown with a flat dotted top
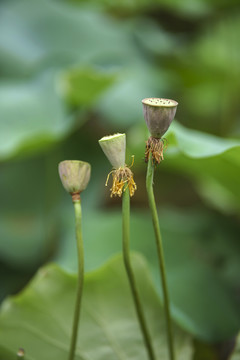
[158,114]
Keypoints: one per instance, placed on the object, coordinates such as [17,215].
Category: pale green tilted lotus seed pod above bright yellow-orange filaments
[114,147]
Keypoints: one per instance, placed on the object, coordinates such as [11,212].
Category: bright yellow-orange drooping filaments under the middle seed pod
[122,178]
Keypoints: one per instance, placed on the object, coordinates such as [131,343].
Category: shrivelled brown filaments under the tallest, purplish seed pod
[155,147]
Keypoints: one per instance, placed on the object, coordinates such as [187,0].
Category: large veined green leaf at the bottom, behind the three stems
[39,319]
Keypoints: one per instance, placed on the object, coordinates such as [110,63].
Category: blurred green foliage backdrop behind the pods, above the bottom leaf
[74,71]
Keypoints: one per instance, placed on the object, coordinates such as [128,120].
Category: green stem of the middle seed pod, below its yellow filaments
[132,282]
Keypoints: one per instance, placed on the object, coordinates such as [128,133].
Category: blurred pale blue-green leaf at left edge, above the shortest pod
[37,119]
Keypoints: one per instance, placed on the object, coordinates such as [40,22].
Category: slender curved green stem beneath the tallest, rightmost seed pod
[152,204]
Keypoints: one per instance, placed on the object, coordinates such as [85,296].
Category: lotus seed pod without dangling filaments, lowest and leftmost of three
[75,175]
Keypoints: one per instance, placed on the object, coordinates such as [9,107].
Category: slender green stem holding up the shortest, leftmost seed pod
[78,225]
